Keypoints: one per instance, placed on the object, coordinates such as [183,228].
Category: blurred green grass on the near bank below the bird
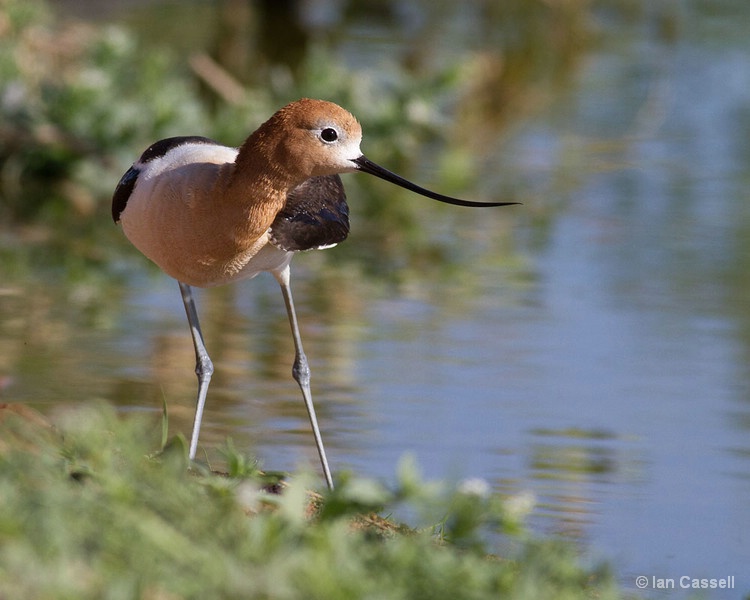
[89,510]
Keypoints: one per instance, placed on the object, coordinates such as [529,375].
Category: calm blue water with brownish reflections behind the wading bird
[603,368]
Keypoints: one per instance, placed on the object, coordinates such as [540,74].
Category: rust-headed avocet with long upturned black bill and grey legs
[209,214]
